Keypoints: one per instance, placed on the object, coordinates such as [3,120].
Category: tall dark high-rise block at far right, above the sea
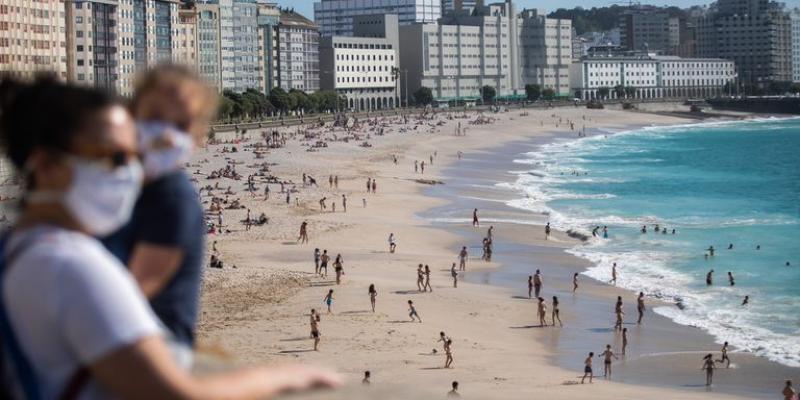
[755,34]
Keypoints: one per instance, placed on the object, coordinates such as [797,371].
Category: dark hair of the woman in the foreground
[44,114]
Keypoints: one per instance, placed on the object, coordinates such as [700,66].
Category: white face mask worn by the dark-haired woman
[100,199]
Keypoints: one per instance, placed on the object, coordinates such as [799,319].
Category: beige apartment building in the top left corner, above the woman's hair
[33,38]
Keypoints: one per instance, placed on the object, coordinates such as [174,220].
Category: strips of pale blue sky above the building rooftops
[306,7]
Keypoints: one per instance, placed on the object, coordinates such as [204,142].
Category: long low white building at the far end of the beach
[650,76]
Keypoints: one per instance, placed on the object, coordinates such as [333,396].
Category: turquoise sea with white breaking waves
[716,184]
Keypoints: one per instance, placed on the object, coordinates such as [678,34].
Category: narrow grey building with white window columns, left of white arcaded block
[298,53]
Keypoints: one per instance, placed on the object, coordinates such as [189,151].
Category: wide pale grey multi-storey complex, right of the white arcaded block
[495,46]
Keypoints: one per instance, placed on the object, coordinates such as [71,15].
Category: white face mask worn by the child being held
[159,161]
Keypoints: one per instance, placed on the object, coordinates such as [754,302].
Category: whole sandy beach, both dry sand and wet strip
[256,308]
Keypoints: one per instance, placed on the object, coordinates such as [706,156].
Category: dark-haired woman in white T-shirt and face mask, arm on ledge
[74,313]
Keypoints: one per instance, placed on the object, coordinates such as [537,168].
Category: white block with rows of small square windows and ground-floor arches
[363,67]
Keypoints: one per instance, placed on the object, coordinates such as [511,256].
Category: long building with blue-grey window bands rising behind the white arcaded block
[335,17]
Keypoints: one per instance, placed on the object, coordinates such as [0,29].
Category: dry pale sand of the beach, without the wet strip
[258,311]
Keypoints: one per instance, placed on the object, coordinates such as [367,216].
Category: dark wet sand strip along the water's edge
[659,355]
